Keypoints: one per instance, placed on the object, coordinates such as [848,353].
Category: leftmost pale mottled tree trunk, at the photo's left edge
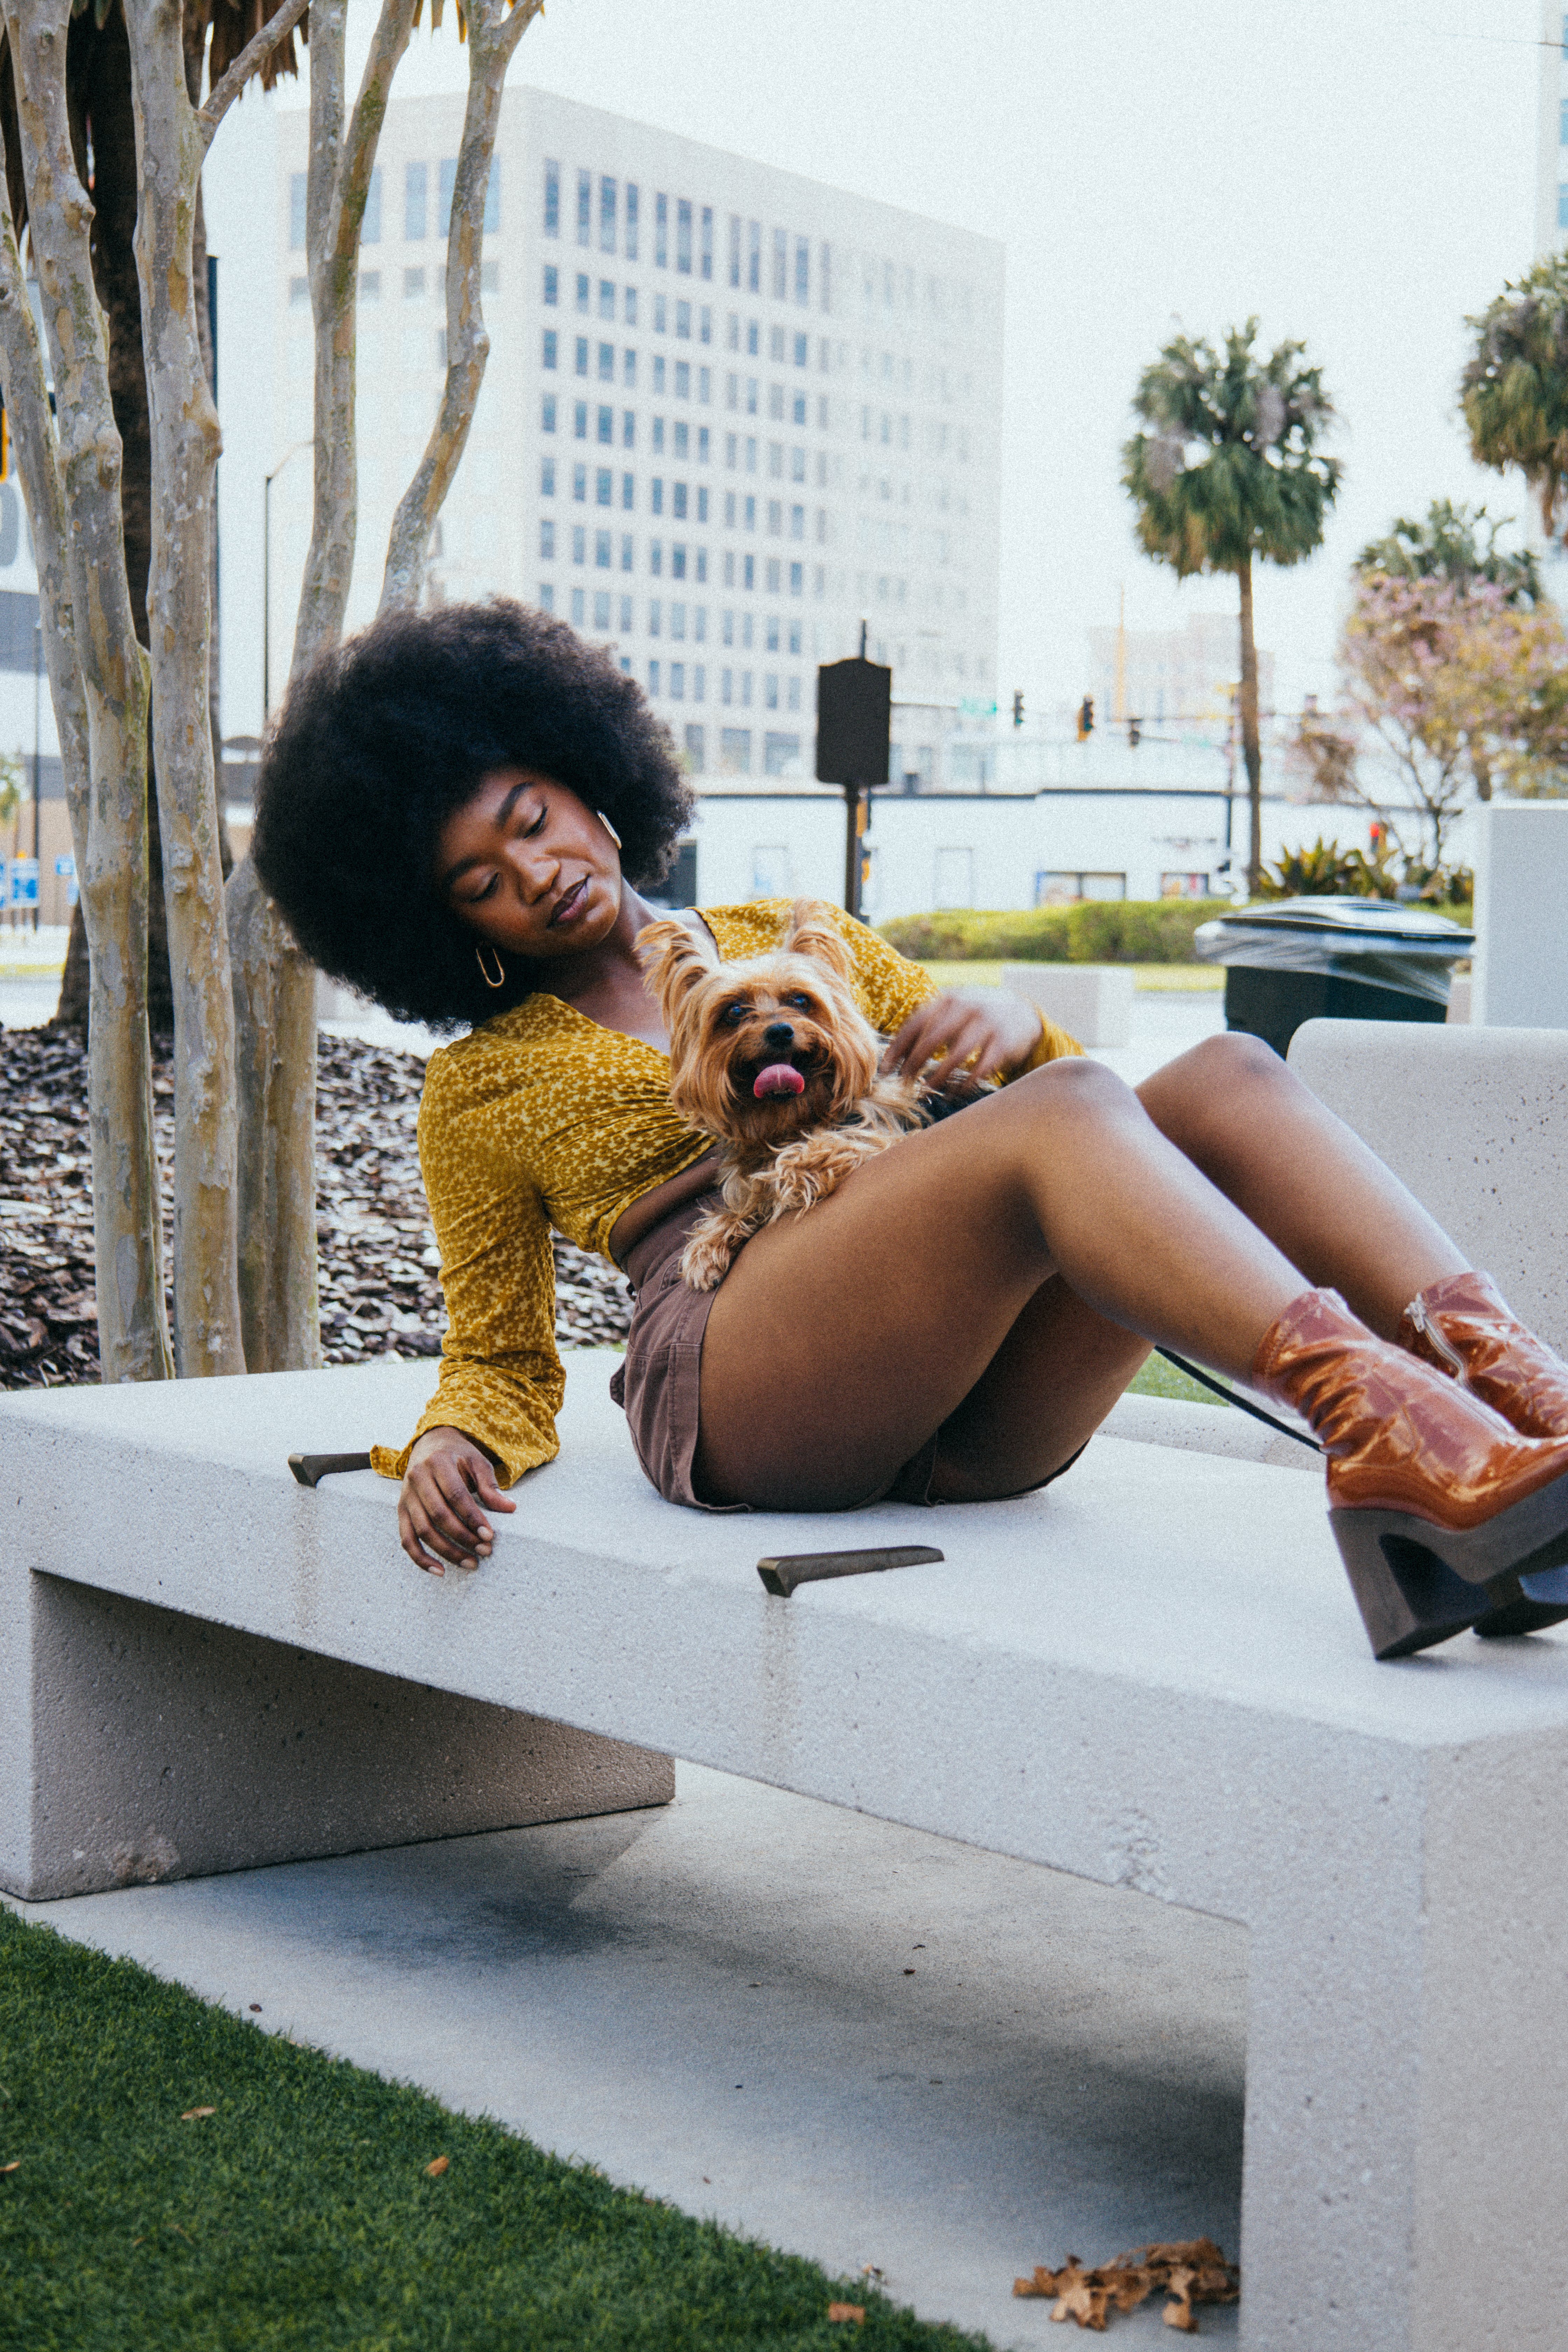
[114,681]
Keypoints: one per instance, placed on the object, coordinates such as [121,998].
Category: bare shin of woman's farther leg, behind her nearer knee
[1301,1177]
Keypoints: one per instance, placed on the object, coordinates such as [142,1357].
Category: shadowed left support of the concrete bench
[138,1744]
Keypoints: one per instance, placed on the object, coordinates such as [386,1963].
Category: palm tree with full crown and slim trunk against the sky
[1231,472]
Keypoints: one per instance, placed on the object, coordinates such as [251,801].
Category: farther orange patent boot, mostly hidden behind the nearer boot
[1466,1328]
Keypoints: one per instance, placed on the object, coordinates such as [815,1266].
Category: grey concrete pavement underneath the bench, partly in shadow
[711,2003]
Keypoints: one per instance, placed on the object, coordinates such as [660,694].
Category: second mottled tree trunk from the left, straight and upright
[185,455]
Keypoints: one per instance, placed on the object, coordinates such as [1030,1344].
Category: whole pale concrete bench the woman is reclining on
[1151,1676]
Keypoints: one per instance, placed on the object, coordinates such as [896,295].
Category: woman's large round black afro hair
[398,728]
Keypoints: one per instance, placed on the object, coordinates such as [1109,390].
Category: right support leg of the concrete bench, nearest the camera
[1407,2080]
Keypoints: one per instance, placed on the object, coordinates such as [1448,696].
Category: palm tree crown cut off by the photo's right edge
[1515,385]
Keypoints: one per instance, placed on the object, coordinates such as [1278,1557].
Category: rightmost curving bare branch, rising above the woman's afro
[492,41]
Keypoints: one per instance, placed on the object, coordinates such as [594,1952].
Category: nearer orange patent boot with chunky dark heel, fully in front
[1440,1509]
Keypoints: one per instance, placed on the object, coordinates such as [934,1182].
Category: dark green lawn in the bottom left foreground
[302,2214]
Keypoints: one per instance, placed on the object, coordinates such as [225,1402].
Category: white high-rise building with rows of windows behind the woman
[728,415]
